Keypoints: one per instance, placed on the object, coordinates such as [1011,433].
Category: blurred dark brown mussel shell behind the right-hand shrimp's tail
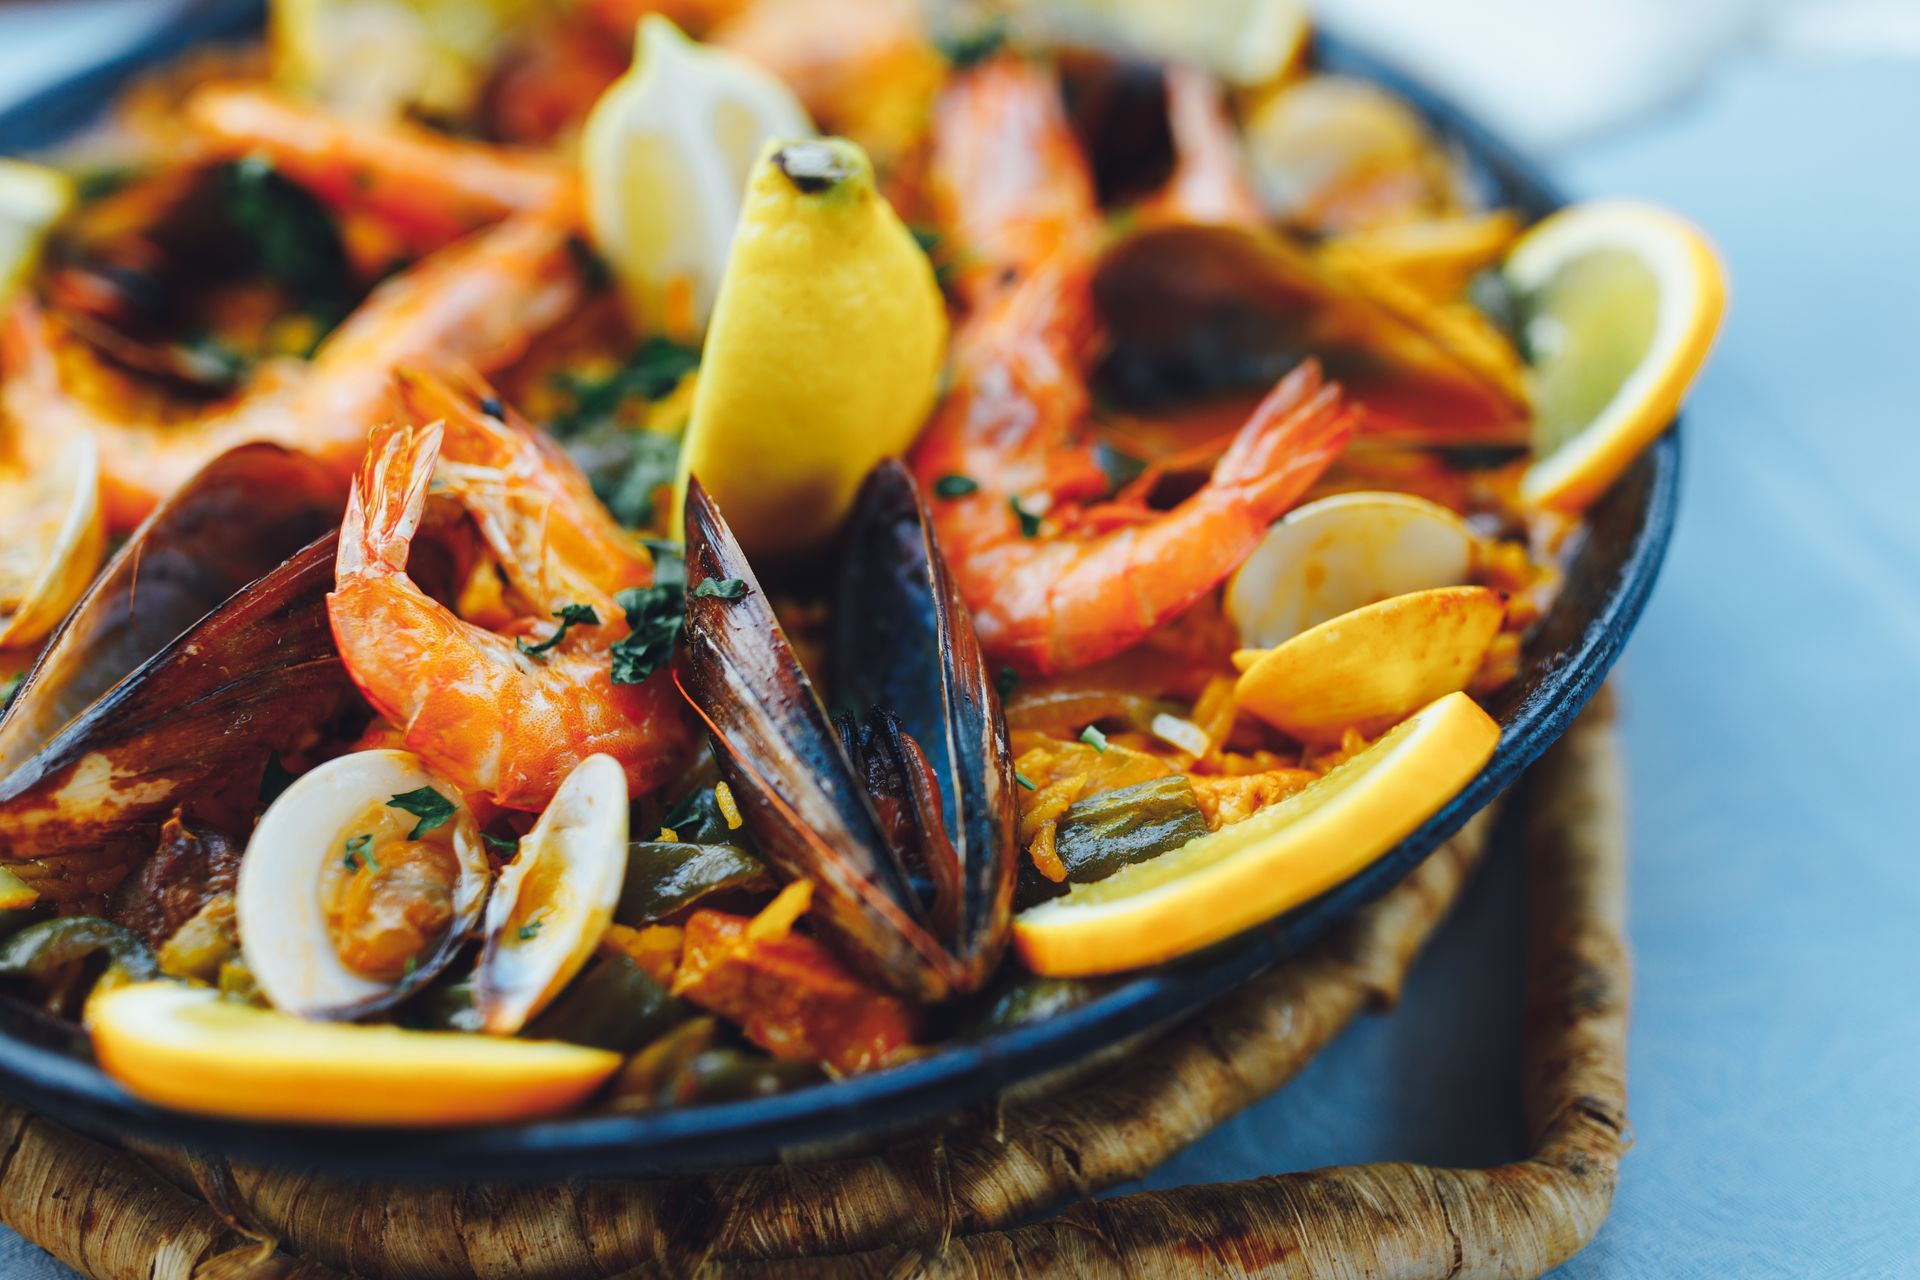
[1197,312]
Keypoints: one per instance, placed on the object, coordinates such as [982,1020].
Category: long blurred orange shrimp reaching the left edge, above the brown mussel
[475,304]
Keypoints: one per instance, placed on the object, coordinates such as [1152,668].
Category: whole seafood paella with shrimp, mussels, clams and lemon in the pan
[636,554]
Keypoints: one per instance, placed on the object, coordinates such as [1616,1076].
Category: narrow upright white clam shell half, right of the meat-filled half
[556,899]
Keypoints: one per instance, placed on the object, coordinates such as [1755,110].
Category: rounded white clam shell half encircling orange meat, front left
[277,901]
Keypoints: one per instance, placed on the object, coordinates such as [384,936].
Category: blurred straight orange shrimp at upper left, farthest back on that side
[425,185]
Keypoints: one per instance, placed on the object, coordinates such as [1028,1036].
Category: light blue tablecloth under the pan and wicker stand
[1771,709]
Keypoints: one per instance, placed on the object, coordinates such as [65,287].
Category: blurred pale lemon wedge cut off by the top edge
[1245,43]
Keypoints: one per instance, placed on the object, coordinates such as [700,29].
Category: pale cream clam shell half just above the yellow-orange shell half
[1343,554]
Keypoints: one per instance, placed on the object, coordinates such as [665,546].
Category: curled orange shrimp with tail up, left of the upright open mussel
[475,703]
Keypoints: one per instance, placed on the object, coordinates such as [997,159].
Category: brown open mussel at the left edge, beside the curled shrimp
[203,648]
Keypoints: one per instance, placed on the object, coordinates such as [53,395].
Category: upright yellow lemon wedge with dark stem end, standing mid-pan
[825,352]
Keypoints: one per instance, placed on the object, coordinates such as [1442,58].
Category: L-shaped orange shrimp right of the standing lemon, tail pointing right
[1055,584]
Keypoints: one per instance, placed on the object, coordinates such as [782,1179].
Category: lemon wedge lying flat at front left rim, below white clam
[183,1047]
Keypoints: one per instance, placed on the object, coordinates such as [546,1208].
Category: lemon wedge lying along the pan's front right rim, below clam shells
[1249,872]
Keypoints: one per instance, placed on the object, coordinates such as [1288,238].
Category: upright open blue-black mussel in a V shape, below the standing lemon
[900,809]
